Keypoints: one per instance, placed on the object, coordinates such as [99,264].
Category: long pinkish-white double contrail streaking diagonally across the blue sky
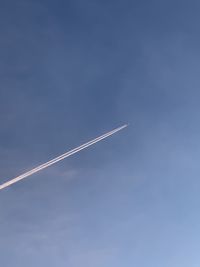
[61,157]
